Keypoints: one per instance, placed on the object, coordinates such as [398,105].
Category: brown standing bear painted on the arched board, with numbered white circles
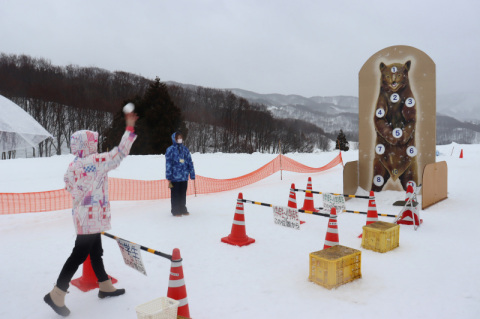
[395,119]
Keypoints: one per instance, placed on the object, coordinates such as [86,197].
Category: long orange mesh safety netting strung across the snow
[130,189]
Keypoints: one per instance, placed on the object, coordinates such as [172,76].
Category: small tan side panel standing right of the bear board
[435,186]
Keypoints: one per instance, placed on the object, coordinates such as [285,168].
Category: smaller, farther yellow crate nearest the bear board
[381,236]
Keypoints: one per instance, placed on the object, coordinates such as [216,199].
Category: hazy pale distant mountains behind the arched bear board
[458,115]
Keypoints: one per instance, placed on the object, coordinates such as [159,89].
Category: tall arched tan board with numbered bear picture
[397,118]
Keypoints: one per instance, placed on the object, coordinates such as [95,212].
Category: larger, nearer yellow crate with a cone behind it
[335,266]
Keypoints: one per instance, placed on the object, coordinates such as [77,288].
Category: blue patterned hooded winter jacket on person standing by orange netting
[179,162]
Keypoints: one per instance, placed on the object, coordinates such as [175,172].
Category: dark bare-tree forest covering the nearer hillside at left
[70,98]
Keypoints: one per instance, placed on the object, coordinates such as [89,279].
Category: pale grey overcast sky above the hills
[300,47]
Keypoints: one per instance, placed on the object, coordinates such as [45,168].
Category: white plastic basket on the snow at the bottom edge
[160,308]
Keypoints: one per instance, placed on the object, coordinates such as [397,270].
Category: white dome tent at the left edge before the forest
[18,130]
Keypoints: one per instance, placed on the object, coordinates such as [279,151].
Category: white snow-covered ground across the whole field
[433,274]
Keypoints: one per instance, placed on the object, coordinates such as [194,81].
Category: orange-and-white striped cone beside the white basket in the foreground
[176,284]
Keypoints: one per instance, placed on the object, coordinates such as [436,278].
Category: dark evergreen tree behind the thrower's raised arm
[158,119]
